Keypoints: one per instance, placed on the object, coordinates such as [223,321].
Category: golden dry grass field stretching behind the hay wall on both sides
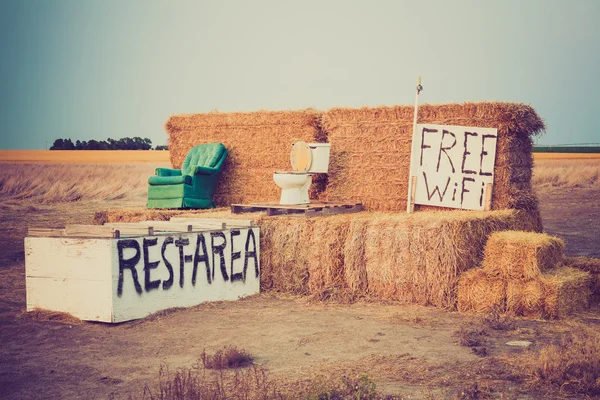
[110,175]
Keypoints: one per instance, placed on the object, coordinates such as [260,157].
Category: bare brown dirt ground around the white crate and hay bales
[410,351]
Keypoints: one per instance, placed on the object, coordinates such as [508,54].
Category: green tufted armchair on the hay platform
[192,186]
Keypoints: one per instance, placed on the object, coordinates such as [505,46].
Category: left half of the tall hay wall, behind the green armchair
[259,144]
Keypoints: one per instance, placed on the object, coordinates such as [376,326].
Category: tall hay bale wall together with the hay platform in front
[382,252]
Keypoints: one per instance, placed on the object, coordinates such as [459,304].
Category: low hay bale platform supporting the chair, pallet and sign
[414,258]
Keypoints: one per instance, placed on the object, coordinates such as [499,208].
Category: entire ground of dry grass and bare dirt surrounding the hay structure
[300,348]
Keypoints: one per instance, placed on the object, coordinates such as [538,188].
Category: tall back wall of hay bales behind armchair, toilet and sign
[370,151]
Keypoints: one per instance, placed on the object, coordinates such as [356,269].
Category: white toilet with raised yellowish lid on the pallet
[306,159]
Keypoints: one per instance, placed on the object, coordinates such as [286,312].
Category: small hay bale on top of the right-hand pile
[521,255]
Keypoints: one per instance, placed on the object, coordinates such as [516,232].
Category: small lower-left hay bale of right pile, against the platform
[481,293]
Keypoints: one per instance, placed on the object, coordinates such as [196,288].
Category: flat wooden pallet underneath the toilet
[305,210]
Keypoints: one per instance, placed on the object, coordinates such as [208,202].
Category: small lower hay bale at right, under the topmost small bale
[556,294]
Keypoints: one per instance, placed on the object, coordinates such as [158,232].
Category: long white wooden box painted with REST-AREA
[116,279]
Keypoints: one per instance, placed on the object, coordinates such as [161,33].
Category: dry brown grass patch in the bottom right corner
[572,365]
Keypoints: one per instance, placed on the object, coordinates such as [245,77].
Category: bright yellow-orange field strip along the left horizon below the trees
[83,156]
